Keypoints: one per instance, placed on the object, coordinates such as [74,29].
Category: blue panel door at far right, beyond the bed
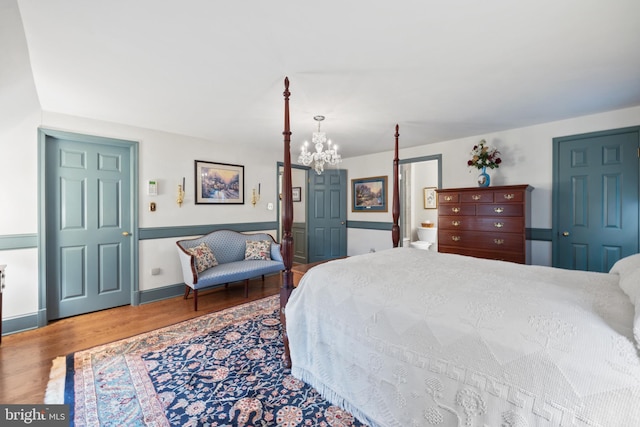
[596,189]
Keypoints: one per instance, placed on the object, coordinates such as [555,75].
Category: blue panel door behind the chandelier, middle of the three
[327,215]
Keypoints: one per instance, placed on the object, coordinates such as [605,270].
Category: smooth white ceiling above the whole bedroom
[441,69]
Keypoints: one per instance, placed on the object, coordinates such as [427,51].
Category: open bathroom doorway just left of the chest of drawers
[417,175]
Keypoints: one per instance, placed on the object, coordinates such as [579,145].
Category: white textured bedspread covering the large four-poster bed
[406,337]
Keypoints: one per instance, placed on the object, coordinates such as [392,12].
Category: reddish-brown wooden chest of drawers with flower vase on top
[485,222]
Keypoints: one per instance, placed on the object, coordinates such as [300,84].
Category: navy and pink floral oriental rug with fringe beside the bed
[220,369]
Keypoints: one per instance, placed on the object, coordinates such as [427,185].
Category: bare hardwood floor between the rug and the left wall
[25,357]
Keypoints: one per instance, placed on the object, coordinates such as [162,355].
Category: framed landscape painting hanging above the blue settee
[219,183]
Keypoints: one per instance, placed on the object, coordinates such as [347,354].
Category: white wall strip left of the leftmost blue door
[19,119]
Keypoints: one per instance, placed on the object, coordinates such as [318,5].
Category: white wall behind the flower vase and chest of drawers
[526,159]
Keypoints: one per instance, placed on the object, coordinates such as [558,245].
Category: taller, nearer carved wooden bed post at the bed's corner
[287,222]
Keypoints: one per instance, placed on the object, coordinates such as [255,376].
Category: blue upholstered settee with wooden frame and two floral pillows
[227,256]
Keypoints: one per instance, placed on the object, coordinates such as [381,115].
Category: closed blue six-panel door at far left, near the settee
[89,226]
